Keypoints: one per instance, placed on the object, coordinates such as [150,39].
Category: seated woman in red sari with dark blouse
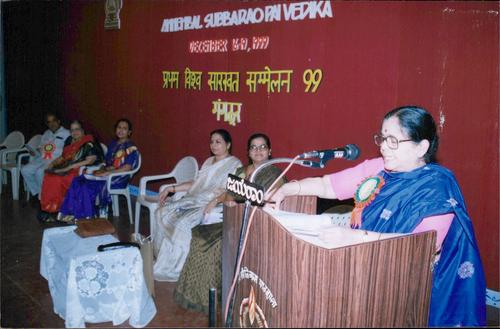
[79,150]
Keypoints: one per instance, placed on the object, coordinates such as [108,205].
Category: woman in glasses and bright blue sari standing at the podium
[405,191]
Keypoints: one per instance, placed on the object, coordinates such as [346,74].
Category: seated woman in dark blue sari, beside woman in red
[122,155]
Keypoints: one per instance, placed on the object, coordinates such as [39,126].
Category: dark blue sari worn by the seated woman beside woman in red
[80,200]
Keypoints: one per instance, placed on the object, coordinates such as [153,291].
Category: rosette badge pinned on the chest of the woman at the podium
[364,195]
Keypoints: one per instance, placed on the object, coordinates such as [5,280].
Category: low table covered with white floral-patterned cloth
[91,286]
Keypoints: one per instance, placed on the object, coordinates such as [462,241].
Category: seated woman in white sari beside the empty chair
[175,219]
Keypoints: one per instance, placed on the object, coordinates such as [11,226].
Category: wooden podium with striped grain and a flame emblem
[287,282]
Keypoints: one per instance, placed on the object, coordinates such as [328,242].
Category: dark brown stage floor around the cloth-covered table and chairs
[25,298]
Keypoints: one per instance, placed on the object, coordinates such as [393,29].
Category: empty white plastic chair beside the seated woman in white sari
[184,171]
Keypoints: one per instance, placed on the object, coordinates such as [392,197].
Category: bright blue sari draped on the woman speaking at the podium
[459,289]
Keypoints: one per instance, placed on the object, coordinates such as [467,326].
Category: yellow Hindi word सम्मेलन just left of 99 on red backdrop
[274,80]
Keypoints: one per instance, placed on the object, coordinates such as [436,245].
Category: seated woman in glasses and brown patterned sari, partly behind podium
[203,268]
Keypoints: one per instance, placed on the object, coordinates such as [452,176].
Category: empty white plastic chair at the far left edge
[10,147]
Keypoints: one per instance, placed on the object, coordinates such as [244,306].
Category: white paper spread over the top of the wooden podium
[325,230]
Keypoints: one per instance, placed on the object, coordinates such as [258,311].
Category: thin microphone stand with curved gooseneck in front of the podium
[244,224]
